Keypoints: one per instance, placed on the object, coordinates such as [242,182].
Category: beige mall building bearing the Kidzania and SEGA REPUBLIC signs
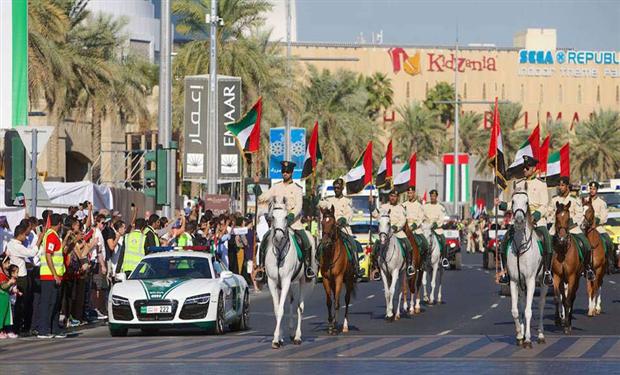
[549,82]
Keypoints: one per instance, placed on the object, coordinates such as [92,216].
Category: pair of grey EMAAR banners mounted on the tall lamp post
[196,119]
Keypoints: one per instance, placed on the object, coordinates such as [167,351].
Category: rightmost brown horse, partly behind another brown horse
[599,260]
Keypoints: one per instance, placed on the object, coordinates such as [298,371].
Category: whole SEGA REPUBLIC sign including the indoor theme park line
[545,63]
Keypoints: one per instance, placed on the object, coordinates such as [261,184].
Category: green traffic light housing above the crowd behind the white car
[155,175]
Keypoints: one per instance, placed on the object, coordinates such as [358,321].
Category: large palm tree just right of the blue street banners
[338,102]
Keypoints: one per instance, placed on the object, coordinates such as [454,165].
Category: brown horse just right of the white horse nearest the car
[335,270]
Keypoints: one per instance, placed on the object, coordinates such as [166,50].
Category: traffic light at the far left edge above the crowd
[14,167]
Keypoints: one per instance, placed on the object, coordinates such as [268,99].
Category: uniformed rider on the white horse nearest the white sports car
[293,194]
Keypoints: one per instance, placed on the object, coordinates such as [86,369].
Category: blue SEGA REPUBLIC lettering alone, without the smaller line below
[568,57]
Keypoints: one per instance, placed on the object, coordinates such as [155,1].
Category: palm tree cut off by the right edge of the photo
[596,150]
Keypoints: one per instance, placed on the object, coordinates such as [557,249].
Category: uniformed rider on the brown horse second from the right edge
[576,217]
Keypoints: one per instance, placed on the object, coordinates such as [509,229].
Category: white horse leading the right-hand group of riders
[524,266]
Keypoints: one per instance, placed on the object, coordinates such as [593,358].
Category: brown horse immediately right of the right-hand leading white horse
[566,267]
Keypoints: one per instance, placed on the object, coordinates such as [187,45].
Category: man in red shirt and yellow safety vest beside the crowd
[52,271]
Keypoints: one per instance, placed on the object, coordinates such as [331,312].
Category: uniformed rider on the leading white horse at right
[539,208]
